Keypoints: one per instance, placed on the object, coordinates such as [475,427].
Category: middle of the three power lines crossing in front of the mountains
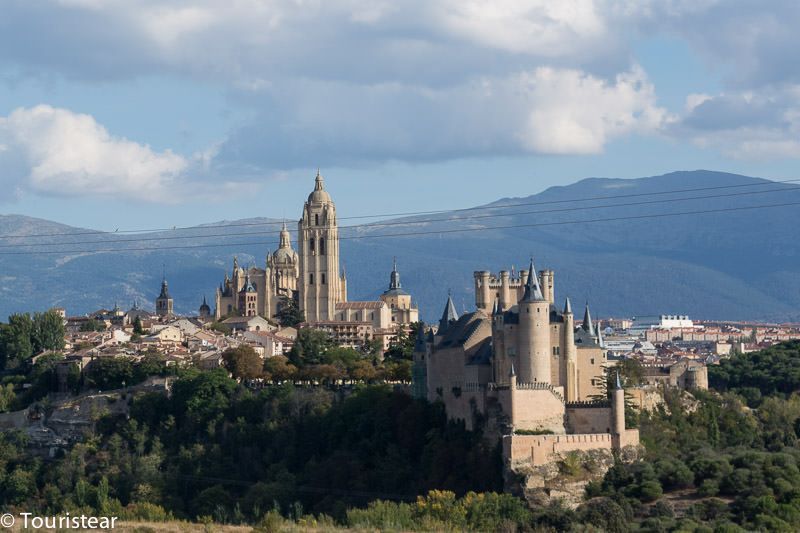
[407,223]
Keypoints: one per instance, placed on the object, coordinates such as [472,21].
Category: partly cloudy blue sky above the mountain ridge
[123,114]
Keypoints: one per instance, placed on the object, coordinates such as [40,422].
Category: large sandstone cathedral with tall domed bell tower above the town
[312,279]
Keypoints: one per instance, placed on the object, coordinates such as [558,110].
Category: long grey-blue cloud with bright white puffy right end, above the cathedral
[544,111]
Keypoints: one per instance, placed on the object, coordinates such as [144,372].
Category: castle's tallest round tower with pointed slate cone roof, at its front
[534,332]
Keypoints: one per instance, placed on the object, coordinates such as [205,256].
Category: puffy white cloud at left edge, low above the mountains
[56,151]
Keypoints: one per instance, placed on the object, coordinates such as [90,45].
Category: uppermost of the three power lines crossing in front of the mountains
[409,213]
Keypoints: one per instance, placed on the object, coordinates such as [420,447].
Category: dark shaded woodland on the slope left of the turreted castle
[216,449]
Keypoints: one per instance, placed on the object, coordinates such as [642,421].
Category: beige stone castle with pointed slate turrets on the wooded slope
[523,366]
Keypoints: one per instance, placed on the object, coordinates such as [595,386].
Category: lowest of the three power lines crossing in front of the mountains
[416,233]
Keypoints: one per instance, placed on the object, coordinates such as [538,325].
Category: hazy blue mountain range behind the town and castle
[612,242]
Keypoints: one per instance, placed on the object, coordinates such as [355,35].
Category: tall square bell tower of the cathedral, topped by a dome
[318,242]
